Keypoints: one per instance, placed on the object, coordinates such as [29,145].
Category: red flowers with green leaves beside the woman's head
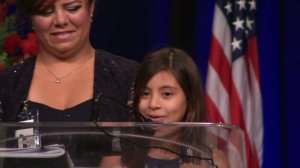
[15,44]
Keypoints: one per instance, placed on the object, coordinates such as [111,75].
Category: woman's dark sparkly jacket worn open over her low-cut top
[113,77]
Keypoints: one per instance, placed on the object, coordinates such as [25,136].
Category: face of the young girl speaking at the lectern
[163,100]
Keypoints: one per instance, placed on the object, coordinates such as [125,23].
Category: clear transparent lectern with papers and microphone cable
[121,144]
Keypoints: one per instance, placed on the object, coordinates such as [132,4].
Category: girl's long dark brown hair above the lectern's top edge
[181,65]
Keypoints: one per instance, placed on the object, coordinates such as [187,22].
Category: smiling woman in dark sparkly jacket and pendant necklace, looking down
[63,81]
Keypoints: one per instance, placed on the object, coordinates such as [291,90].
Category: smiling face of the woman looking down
[64,26]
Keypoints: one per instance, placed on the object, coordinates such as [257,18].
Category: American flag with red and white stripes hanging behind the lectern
[232,89]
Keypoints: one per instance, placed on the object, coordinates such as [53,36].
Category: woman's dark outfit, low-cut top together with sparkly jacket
[113,77]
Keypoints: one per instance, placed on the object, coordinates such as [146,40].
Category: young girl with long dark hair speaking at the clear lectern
[167,88]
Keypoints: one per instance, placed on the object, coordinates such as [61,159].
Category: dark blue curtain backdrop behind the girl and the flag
[134,28]
